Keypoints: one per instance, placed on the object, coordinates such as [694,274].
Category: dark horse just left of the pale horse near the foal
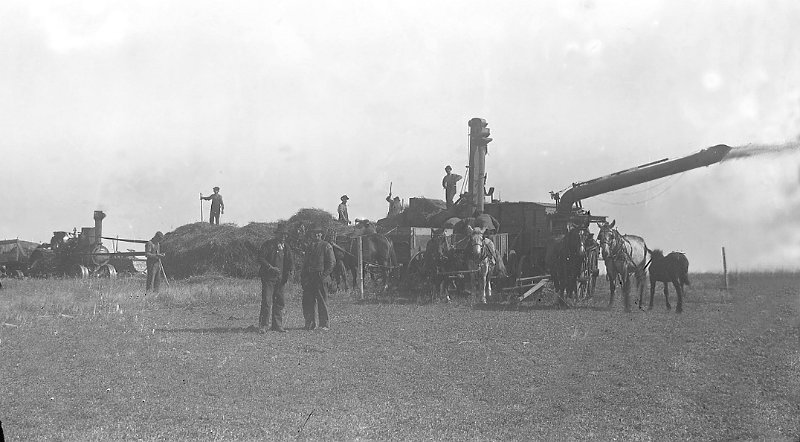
[564,258]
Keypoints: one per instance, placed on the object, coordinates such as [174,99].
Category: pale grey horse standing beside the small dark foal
[624,255]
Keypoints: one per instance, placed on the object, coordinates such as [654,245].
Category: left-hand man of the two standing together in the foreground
[277,263]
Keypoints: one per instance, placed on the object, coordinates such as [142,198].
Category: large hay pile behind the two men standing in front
[202,248]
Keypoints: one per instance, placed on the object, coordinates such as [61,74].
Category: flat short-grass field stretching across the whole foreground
[97,360]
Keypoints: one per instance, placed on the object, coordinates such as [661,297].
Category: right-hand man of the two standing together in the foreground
[318,263]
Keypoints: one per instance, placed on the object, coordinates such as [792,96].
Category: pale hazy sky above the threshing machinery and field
[135,108]
